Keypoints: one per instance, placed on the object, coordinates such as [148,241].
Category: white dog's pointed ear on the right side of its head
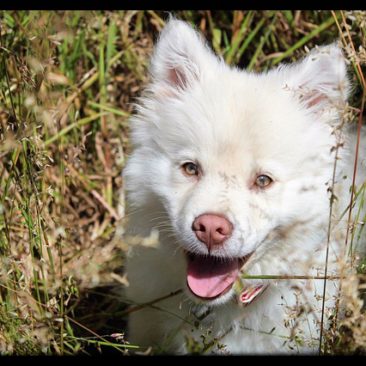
[320,79]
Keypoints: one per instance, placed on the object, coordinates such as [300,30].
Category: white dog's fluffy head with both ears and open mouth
[240,161]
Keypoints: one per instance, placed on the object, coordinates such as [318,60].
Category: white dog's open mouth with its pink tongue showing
[209,277]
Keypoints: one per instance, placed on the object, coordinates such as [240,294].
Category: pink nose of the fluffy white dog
[212,229]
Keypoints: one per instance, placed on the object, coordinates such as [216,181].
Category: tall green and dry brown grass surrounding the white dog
[68,81]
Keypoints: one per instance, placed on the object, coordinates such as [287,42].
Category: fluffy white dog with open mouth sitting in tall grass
[231,176]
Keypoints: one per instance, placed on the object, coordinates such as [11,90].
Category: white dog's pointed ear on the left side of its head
[181,56]
